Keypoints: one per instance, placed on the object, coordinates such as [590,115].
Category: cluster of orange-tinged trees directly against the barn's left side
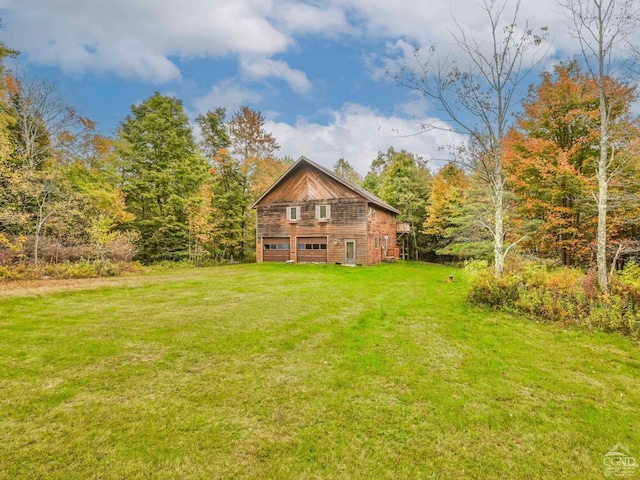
[243,165]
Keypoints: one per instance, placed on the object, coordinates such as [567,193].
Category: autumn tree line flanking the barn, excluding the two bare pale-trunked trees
[153,193]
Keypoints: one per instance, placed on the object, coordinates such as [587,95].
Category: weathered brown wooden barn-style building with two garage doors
[310,214]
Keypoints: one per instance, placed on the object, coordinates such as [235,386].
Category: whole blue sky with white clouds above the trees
[315,68]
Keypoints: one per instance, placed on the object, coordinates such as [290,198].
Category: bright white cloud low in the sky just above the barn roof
[357,133]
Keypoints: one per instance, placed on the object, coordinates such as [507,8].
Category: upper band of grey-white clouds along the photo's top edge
[142,39]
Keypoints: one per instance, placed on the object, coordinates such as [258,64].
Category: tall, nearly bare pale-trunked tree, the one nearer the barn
[480,98]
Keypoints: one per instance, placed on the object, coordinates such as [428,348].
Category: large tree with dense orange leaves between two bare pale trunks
[551,161]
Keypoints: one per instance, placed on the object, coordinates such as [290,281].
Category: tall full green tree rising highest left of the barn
[162,174]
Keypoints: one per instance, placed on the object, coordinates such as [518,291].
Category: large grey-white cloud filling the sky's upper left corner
[136,38]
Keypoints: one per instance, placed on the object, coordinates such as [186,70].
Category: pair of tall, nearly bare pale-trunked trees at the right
[479,95]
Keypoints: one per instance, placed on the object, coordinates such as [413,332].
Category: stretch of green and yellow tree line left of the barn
[151,193]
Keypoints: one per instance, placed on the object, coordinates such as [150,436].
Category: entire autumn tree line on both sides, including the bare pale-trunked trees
[555,176]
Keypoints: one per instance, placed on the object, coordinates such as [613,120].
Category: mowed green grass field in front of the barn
[302,372]
